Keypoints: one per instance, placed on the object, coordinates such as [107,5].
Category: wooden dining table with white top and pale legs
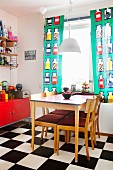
[75,103]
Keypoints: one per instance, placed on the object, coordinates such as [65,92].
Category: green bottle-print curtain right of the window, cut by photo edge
[102,51]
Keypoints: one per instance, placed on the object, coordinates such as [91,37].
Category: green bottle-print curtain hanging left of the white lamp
[52,68]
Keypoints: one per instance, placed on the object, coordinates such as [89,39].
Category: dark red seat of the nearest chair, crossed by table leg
[70,121]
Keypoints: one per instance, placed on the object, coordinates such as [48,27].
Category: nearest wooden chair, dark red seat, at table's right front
[68,123]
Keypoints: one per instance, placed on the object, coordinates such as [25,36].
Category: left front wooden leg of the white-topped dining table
[33,123]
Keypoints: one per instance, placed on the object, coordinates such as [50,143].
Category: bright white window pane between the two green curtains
[75,66]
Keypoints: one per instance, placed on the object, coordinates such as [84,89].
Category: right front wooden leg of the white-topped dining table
[76,132]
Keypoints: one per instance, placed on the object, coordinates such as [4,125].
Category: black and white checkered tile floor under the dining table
[16,153]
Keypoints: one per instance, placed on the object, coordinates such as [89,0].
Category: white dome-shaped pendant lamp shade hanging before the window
[69,45]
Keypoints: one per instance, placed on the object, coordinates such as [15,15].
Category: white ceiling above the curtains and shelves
[25,7]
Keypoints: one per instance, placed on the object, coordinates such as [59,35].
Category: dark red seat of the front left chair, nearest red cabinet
[50,118]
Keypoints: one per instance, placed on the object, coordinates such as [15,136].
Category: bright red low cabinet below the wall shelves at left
[14,110]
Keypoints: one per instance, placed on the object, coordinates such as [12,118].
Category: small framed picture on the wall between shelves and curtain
[30,55]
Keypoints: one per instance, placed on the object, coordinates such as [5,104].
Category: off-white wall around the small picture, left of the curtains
[30,31]
